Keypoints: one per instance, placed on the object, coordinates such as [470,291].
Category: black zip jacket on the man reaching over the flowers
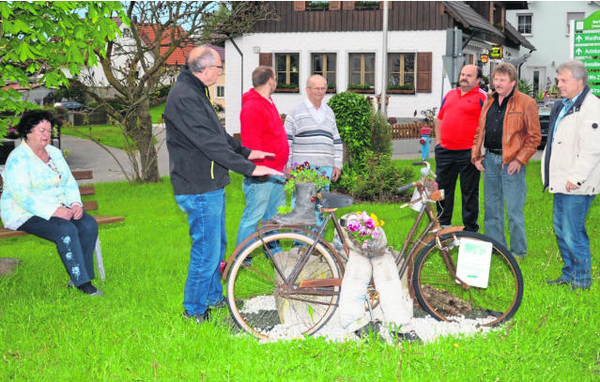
[201,153]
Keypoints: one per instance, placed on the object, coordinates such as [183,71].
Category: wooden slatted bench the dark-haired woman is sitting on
[88,205]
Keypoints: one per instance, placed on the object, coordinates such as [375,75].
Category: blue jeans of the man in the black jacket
[206,218]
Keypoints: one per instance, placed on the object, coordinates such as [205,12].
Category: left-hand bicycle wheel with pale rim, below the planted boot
[265,303]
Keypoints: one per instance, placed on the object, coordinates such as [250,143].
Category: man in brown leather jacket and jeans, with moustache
[508,135]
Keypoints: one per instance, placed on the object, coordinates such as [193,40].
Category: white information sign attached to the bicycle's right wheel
[474,257]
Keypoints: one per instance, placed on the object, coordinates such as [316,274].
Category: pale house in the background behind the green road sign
[546,24]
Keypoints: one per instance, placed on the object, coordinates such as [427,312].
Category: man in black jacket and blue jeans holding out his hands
[201,153]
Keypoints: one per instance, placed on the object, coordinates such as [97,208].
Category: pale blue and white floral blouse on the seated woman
[35,188]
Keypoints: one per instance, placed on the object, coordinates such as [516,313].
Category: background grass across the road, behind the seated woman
[107,134]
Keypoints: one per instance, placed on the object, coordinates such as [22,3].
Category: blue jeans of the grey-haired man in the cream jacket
[570,212]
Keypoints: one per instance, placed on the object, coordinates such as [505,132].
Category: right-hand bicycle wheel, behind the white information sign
[442,295]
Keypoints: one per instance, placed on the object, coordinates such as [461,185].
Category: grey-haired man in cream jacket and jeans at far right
[571,170]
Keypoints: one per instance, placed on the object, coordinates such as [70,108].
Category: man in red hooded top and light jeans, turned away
[262,128]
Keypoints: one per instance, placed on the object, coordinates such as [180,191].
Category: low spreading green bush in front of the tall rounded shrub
[377,181]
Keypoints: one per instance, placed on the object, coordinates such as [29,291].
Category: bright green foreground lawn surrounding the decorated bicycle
[136,332]
